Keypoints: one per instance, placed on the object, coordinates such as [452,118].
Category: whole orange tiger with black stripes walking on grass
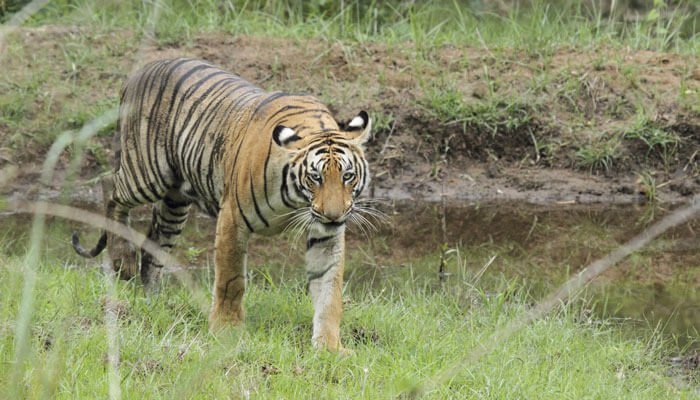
[258,161]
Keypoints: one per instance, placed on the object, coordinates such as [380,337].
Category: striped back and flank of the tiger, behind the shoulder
[176,117]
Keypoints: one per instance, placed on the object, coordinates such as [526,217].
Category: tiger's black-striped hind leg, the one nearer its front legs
[169,217]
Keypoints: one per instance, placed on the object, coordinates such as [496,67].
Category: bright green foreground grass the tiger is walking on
[400,336]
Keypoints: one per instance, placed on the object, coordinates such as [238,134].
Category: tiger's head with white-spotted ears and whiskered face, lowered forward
[327,170]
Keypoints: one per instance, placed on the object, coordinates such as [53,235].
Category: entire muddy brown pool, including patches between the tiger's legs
[538,247]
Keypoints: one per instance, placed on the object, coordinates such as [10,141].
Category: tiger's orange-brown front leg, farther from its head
[229,272]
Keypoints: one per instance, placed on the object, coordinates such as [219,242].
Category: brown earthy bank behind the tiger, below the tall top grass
[542,109]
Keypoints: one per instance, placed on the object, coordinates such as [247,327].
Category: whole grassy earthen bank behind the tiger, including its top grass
[564,84]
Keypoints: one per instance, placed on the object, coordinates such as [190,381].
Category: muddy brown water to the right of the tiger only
[542,246]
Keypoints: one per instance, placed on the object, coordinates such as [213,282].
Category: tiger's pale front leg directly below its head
[325,263]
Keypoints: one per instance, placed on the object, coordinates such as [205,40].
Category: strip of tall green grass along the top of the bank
[537,26]
